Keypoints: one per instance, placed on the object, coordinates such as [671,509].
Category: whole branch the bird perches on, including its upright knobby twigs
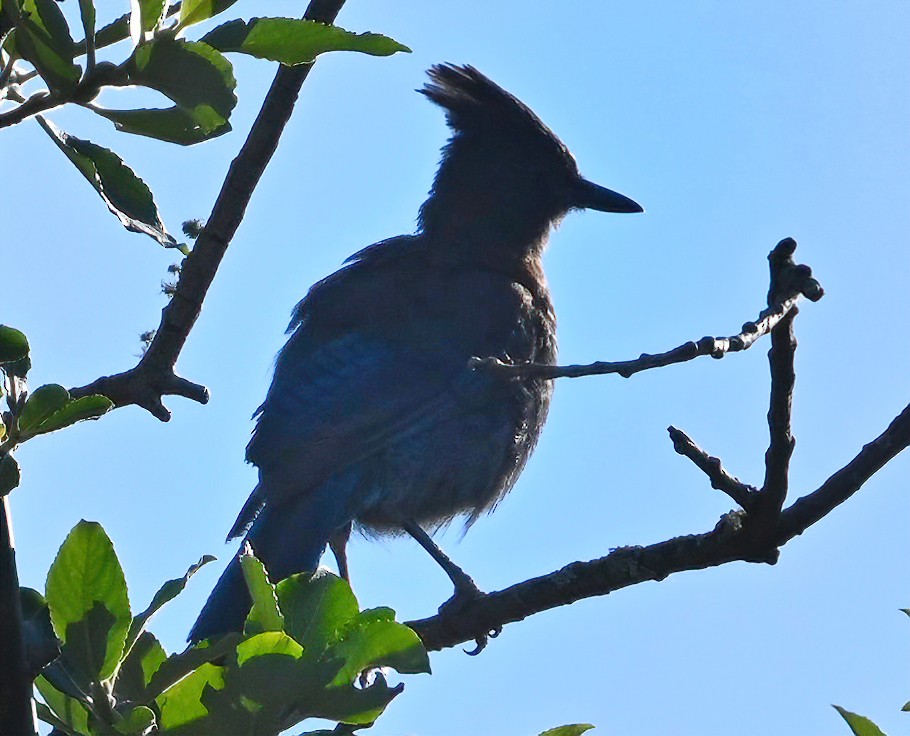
[752,535]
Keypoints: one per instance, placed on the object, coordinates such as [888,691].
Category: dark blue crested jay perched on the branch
[377,418]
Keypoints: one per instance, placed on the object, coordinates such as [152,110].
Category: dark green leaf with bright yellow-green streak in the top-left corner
[43,38]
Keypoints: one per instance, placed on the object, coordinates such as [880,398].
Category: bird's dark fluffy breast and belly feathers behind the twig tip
[462,457]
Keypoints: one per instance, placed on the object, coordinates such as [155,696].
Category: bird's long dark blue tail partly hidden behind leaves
[288,538]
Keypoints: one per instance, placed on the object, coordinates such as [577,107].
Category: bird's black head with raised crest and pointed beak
[504,178]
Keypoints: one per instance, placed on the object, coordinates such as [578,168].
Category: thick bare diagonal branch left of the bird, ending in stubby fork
[154,376]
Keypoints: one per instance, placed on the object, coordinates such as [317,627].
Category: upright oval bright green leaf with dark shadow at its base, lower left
[87,596]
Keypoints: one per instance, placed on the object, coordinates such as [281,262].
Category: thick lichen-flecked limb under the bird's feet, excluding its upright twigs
[731,539]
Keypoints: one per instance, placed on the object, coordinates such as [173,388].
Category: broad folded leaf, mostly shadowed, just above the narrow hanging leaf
[195,76]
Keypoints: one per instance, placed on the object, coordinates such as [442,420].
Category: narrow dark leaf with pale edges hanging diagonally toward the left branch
[124,193]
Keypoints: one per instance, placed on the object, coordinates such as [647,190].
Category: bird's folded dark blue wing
[333,404]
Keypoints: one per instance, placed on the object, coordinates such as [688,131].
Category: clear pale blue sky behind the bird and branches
[734,124]
